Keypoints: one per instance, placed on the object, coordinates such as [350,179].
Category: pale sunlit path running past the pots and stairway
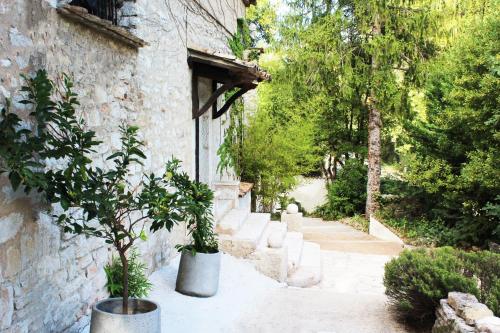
[350,298]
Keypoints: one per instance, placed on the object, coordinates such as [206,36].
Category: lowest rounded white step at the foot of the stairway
[310,270]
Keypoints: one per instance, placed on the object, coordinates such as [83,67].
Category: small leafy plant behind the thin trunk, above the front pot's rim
[139,285]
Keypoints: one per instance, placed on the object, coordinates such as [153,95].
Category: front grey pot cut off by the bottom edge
[107,317]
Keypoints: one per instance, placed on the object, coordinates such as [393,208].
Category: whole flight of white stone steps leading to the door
[275,251]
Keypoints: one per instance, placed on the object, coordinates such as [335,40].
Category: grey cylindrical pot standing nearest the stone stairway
[198,274]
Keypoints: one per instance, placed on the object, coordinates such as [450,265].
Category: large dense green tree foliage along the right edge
[452,166]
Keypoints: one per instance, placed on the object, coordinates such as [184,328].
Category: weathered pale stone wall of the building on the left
[48,279]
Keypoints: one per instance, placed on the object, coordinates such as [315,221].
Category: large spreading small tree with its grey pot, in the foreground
[92,201]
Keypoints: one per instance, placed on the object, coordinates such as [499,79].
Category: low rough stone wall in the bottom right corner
[462,313]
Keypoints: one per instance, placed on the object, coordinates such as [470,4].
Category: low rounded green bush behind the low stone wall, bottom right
[418,279]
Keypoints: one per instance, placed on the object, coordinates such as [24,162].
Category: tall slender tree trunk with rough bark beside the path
[374,129]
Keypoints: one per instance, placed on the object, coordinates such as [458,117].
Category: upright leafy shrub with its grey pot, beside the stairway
[199,266]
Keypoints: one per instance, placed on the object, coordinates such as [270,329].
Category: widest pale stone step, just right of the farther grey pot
[247,239]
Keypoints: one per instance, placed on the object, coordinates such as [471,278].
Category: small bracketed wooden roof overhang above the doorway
[227,70]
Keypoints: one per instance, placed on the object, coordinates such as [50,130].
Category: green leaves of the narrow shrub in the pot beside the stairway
[196,205]
